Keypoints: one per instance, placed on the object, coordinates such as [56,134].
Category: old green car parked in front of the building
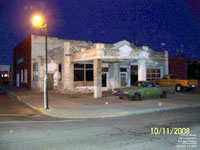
[144,89]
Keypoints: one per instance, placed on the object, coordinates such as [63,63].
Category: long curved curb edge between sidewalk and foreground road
[120,114]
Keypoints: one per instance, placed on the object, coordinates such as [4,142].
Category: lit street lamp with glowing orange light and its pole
[37,22]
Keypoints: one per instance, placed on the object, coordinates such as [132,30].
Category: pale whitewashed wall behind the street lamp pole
[55,49]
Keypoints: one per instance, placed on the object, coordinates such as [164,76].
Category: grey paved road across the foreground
[122,133]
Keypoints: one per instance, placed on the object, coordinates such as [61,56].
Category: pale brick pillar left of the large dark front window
[68,69]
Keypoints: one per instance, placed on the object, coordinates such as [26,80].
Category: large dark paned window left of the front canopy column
[83,72]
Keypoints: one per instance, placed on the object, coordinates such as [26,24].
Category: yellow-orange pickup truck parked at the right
[179,84]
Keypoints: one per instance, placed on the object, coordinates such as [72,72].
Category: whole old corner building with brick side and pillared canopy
[81,66]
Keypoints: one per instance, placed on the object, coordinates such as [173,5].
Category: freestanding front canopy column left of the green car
[97,74]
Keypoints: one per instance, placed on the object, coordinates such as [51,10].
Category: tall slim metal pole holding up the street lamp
[46,73]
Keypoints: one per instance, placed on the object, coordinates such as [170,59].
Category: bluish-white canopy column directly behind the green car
[142,71]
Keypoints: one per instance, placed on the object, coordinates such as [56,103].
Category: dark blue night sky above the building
[172,25]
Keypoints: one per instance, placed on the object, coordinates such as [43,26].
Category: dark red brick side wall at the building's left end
[22,61]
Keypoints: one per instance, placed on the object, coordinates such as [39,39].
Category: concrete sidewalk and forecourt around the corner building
[85,106]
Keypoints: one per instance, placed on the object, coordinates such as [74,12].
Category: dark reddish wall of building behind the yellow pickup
[178,66]
